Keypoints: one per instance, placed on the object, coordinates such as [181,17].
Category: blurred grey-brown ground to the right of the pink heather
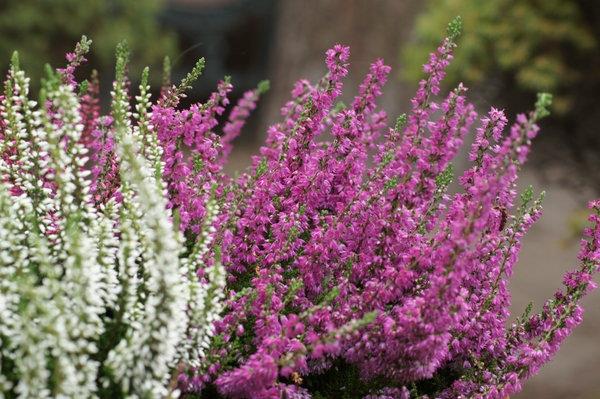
[548,251]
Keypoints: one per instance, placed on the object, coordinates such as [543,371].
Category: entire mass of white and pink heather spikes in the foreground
[349,269]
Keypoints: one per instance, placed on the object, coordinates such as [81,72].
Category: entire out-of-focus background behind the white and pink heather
[509,50]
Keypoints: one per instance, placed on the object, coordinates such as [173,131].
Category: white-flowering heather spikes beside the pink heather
[95,301]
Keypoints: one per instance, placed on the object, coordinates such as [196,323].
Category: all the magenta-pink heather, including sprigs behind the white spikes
[350,263]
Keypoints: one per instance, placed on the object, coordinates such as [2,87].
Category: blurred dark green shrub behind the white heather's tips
[44,30]
